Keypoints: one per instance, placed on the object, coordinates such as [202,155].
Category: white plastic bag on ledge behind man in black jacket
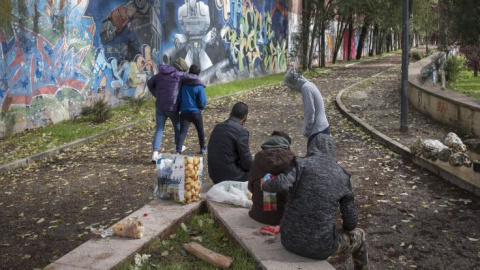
[231,192]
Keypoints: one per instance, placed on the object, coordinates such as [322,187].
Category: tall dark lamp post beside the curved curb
[405,45]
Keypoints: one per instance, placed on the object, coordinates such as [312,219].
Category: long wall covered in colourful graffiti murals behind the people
[57,56]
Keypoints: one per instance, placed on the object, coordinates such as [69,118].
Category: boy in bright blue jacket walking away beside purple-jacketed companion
[192,101]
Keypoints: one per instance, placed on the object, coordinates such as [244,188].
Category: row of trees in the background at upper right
[441,22]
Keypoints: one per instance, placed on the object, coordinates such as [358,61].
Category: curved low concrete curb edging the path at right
[400,148]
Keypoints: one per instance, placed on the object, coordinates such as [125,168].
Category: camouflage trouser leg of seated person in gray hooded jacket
[353,242]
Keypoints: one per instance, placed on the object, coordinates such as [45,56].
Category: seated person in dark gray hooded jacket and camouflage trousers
[316,186]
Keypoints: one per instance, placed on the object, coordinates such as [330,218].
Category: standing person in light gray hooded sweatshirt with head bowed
[315,120]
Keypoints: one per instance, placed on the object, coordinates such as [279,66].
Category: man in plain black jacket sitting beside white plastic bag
[229,156]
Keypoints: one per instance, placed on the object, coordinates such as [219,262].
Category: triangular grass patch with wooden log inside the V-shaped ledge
[169,254]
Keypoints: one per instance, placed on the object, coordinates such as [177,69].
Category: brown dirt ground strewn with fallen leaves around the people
[413,219]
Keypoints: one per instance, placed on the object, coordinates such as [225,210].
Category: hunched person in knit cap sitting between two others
[274,158]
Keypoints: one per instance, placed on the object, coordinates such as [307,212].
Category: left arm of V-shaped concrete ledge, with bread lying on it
[160,219]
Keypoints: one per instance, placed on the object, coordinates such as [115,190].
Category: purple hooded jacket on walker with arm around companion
[165,86]
